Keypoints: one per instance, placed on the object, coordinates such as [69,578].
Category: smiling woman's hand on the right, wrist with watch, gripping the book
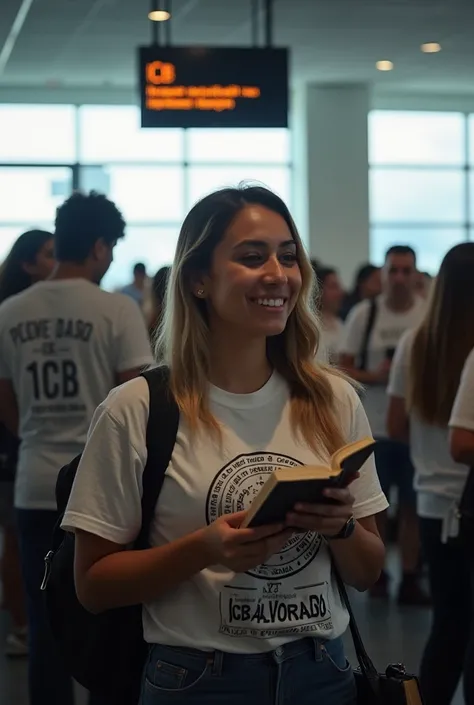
[326,519]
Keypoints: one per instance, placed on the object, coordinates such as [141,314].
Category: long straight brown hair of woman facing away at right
[444,339]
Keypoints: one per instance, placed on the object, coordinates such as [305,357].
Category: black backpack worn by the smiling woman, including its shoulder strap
[106,653]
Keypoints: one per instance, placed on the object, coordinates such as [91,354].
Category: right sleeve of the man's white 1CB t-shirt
[133,343]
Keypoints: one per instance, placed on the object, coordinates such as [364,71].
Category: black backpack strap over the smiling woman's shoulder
[162,428]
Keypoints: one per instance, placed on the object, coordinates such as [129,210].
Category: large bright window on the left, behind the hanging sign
[154,176]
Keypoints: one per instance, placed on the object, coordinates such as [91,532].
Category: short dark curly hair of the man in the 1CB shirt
[81,221]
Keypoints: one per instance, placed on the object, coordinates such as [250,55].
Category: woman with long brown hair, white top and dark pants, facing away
[424,379]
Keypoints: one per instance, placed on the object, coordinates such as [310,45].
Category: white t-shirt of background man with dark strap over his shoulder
[387,330]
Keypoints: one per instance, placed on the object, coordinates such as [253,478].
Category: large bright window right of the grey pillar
[421,182]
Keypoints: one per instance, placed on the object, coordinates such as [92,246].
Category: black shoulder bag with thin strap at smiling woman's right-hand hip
[394,687]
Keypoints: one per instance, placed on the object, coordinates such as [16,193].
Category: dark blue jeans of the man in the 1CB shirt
[48,681]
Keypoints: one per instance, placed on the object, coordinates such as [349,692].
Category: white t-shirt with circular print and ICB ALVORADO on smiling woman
[291,596]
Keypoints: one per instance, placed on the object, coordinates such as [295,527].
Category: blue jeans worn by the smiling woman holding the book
[305,672]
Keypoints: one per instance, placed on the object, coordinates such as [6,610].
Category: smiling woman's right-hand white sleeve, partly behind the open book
[368,496]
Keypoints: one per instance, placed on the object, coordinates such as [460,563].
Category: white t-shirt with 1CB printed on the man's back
[62,343]
